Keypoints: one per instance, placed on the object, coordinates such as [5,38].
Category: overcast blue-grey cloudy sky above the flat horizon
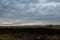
[29,11]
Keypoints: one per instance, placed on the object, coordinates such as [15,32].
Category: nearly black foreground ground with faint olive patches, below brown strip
[29,34]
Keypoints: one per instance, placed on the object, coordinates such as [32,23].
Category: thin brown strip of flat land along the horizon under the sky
[31,26]
